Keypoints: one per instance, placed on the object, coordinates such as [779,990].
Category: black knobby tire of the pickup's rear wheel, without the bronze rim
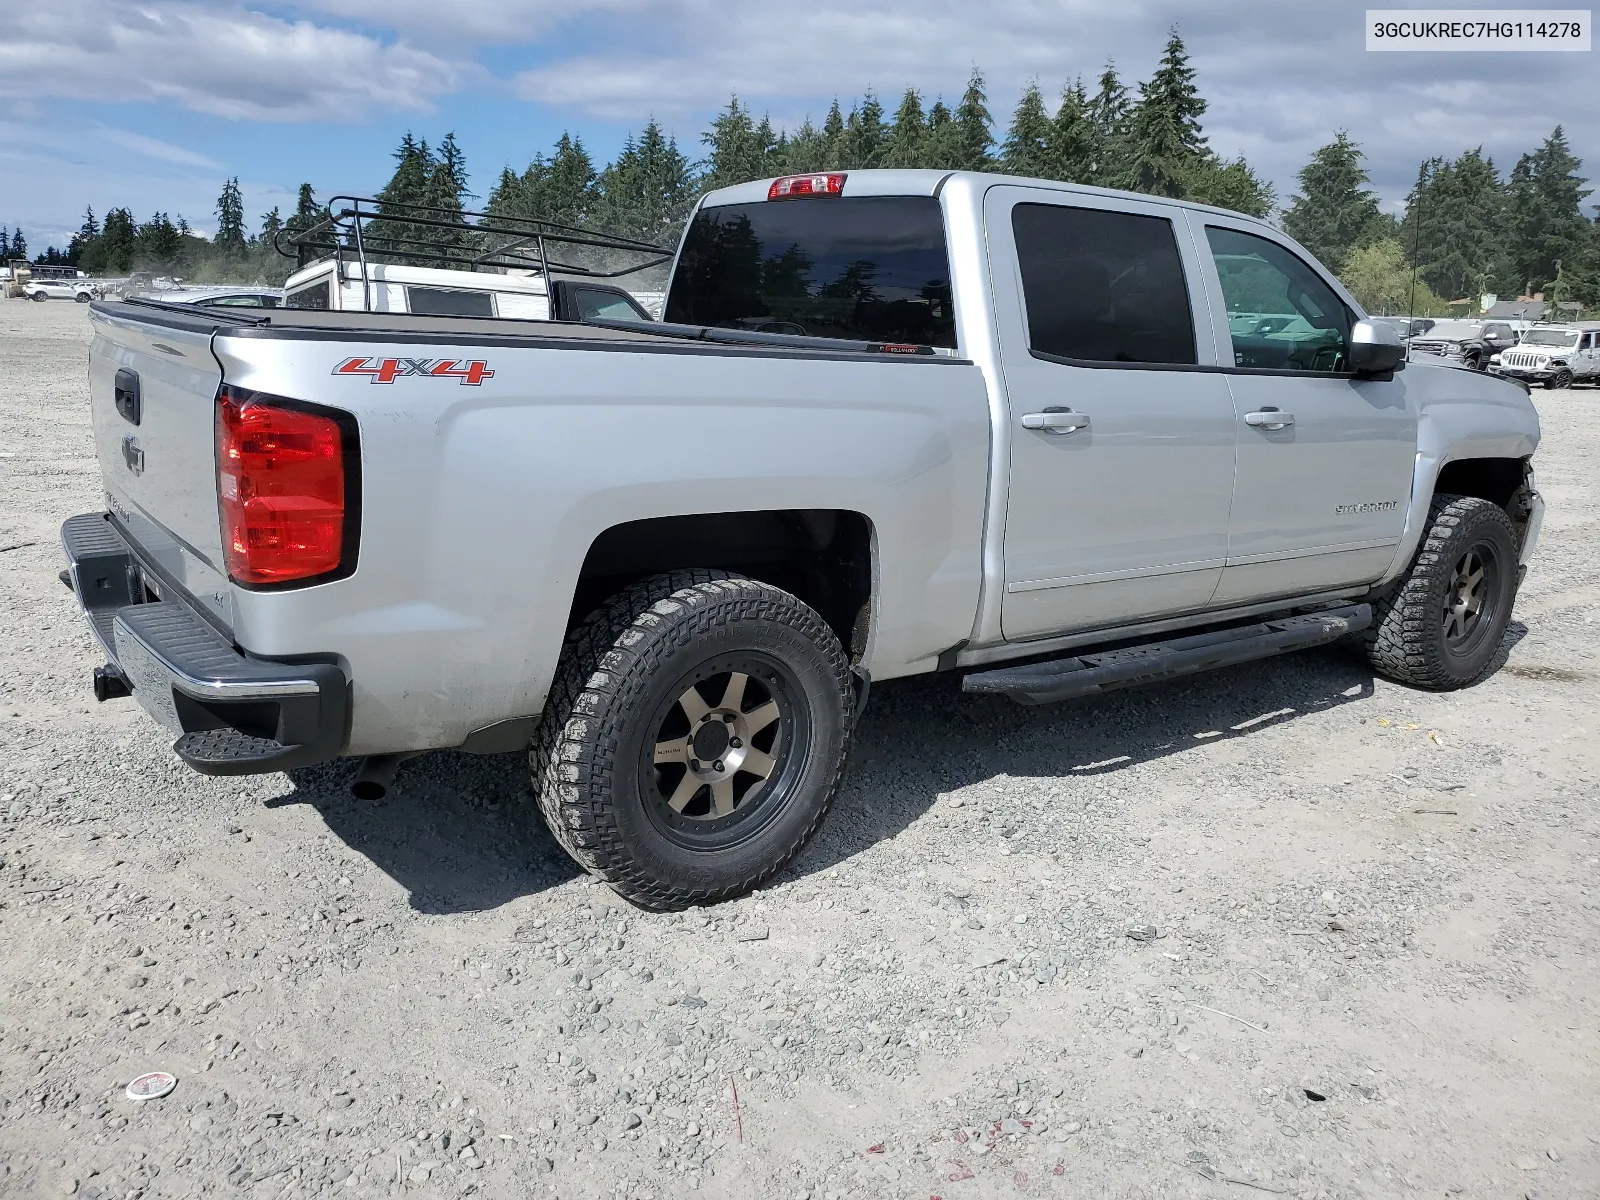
[604,705]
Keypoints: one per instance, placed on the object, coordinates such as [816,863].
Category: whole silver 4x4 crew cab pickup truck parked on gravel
[1054,438]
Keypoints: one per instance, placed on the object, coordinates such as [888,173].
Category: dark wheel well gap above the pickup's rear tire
[822,556]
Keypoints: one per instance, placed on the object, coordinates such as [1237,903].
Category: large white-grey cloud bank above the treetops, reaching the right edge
[1281,79]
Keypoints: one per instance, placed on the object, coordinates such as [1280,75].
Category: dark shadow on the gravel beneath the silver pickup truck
[460,833]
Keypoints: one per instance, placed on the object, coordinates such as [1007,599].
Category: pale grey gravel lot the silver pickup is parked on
[1374,967]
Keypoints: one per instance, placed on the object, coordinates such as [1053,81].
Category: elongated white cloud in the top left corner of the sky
[220,60]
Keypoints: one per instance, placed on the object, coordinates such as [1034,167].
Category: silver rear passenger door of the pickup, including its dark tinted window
[1121,423]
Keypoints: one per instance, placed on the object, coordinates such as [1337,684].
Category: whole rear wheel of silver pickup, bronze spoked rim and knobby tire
[694,737]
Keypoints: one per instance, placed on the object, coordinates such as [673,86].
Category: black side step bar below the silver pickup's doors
[1090,674]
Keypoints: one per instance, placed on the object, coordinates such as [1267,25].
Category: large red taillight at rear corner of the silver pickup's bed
[281,489]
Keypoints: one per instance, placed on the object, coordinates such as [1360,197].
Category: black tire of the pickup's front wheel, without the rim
[1407,639]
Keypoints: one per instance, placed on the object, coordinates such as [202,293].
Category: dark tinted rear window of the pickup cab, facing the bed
[870,268]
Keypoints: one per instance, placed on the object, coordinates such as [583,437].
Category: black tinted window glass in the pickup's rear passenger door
[1103,287]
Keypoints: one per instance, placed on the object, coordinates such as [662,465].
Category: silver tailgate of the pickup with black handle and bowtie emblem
[153,398]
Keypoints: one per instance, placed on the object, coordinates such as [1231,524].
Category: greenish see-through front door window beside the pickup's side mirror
[1281,313]
